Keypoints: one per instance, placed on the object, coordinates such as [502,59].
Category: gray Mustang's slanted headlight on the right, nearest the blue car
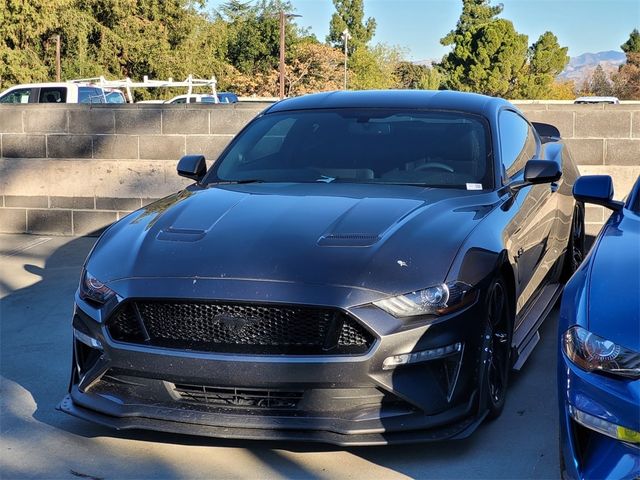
[436,300]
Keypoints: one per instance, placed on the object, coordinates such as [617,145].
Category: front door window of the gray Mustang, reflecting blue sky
[517,142]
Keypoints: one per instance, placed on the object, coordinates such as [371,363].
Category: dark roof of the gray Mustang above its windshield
[409,99]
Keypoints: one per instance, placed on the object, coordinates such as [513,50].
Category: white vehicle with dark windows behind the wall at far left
[62,92]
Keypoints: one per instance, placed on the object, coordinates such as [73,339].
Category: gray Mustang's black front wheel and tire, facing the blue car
[495,356]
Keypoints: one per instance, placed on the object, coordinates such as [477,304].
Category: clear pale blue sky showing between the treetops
[416,26]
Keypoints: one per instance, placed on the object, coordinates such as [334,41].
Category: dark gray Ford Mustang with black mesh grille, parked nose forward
[355,268]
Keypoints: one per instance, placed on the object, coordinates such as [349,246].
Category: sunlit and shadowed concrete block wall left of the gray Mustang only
[72,169]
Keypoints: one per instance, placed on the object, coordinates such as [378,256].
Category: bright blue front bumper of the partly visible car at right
[585,452]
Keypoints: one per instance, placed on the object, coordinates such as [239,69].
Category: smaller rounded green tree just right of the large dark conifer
[546,59]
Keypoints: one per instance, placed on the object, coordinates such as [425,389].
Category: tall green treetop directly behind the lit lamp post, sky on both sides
[350,14]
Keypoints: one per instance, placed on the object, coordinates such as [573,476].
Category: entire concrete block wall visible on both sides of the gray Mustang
[72,169]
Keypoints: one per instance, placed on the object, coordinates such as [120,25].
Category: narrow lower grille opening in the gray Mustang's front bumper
[238,397]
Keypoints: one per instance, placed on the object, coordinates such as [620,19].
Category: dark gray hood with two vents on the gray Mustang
[389,239]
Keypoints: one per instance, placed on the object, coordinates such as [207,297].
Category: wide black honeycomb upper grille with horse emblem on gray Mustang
[240,328]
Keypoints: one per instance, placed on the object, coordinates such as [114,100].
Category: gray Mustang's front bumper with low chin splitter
[344,400]
